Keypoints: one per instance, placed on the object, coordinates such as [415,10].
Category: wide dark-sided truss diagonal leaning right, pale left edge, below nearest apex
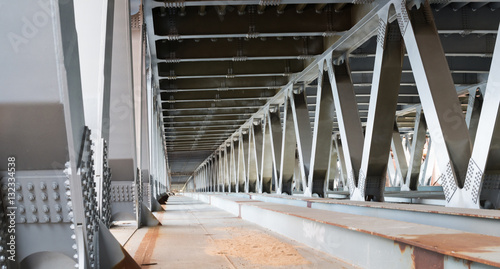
[381,110]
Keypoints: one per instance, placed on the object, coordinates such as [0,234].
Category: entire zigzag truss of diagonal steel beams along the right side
[325,125]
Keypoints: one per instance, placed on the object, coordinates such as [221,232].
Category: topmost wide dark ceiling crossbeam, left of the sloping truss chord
[233,23]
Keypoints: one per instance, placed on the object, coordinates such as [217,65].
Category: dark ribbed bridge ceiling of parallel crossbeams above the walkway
[216,63]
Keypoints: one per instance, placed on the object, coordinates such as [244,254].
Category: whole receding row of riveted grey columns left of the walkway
[93,139]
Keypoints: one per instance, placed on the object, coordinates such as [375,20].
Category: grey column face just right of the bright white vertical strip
[125,184]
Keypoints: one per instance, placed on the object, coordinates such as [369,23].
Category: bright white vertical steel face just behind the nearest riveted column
[95,44]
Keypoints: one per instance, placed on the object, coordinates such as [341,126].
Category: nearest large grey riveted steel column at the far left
[54,180]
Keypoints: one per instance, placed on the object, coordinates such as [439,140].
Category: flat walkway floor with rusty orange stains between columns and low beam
[198,235]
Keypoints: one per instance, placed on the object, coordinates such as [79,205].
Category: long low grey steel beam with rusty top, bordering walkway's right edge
[402,245]
